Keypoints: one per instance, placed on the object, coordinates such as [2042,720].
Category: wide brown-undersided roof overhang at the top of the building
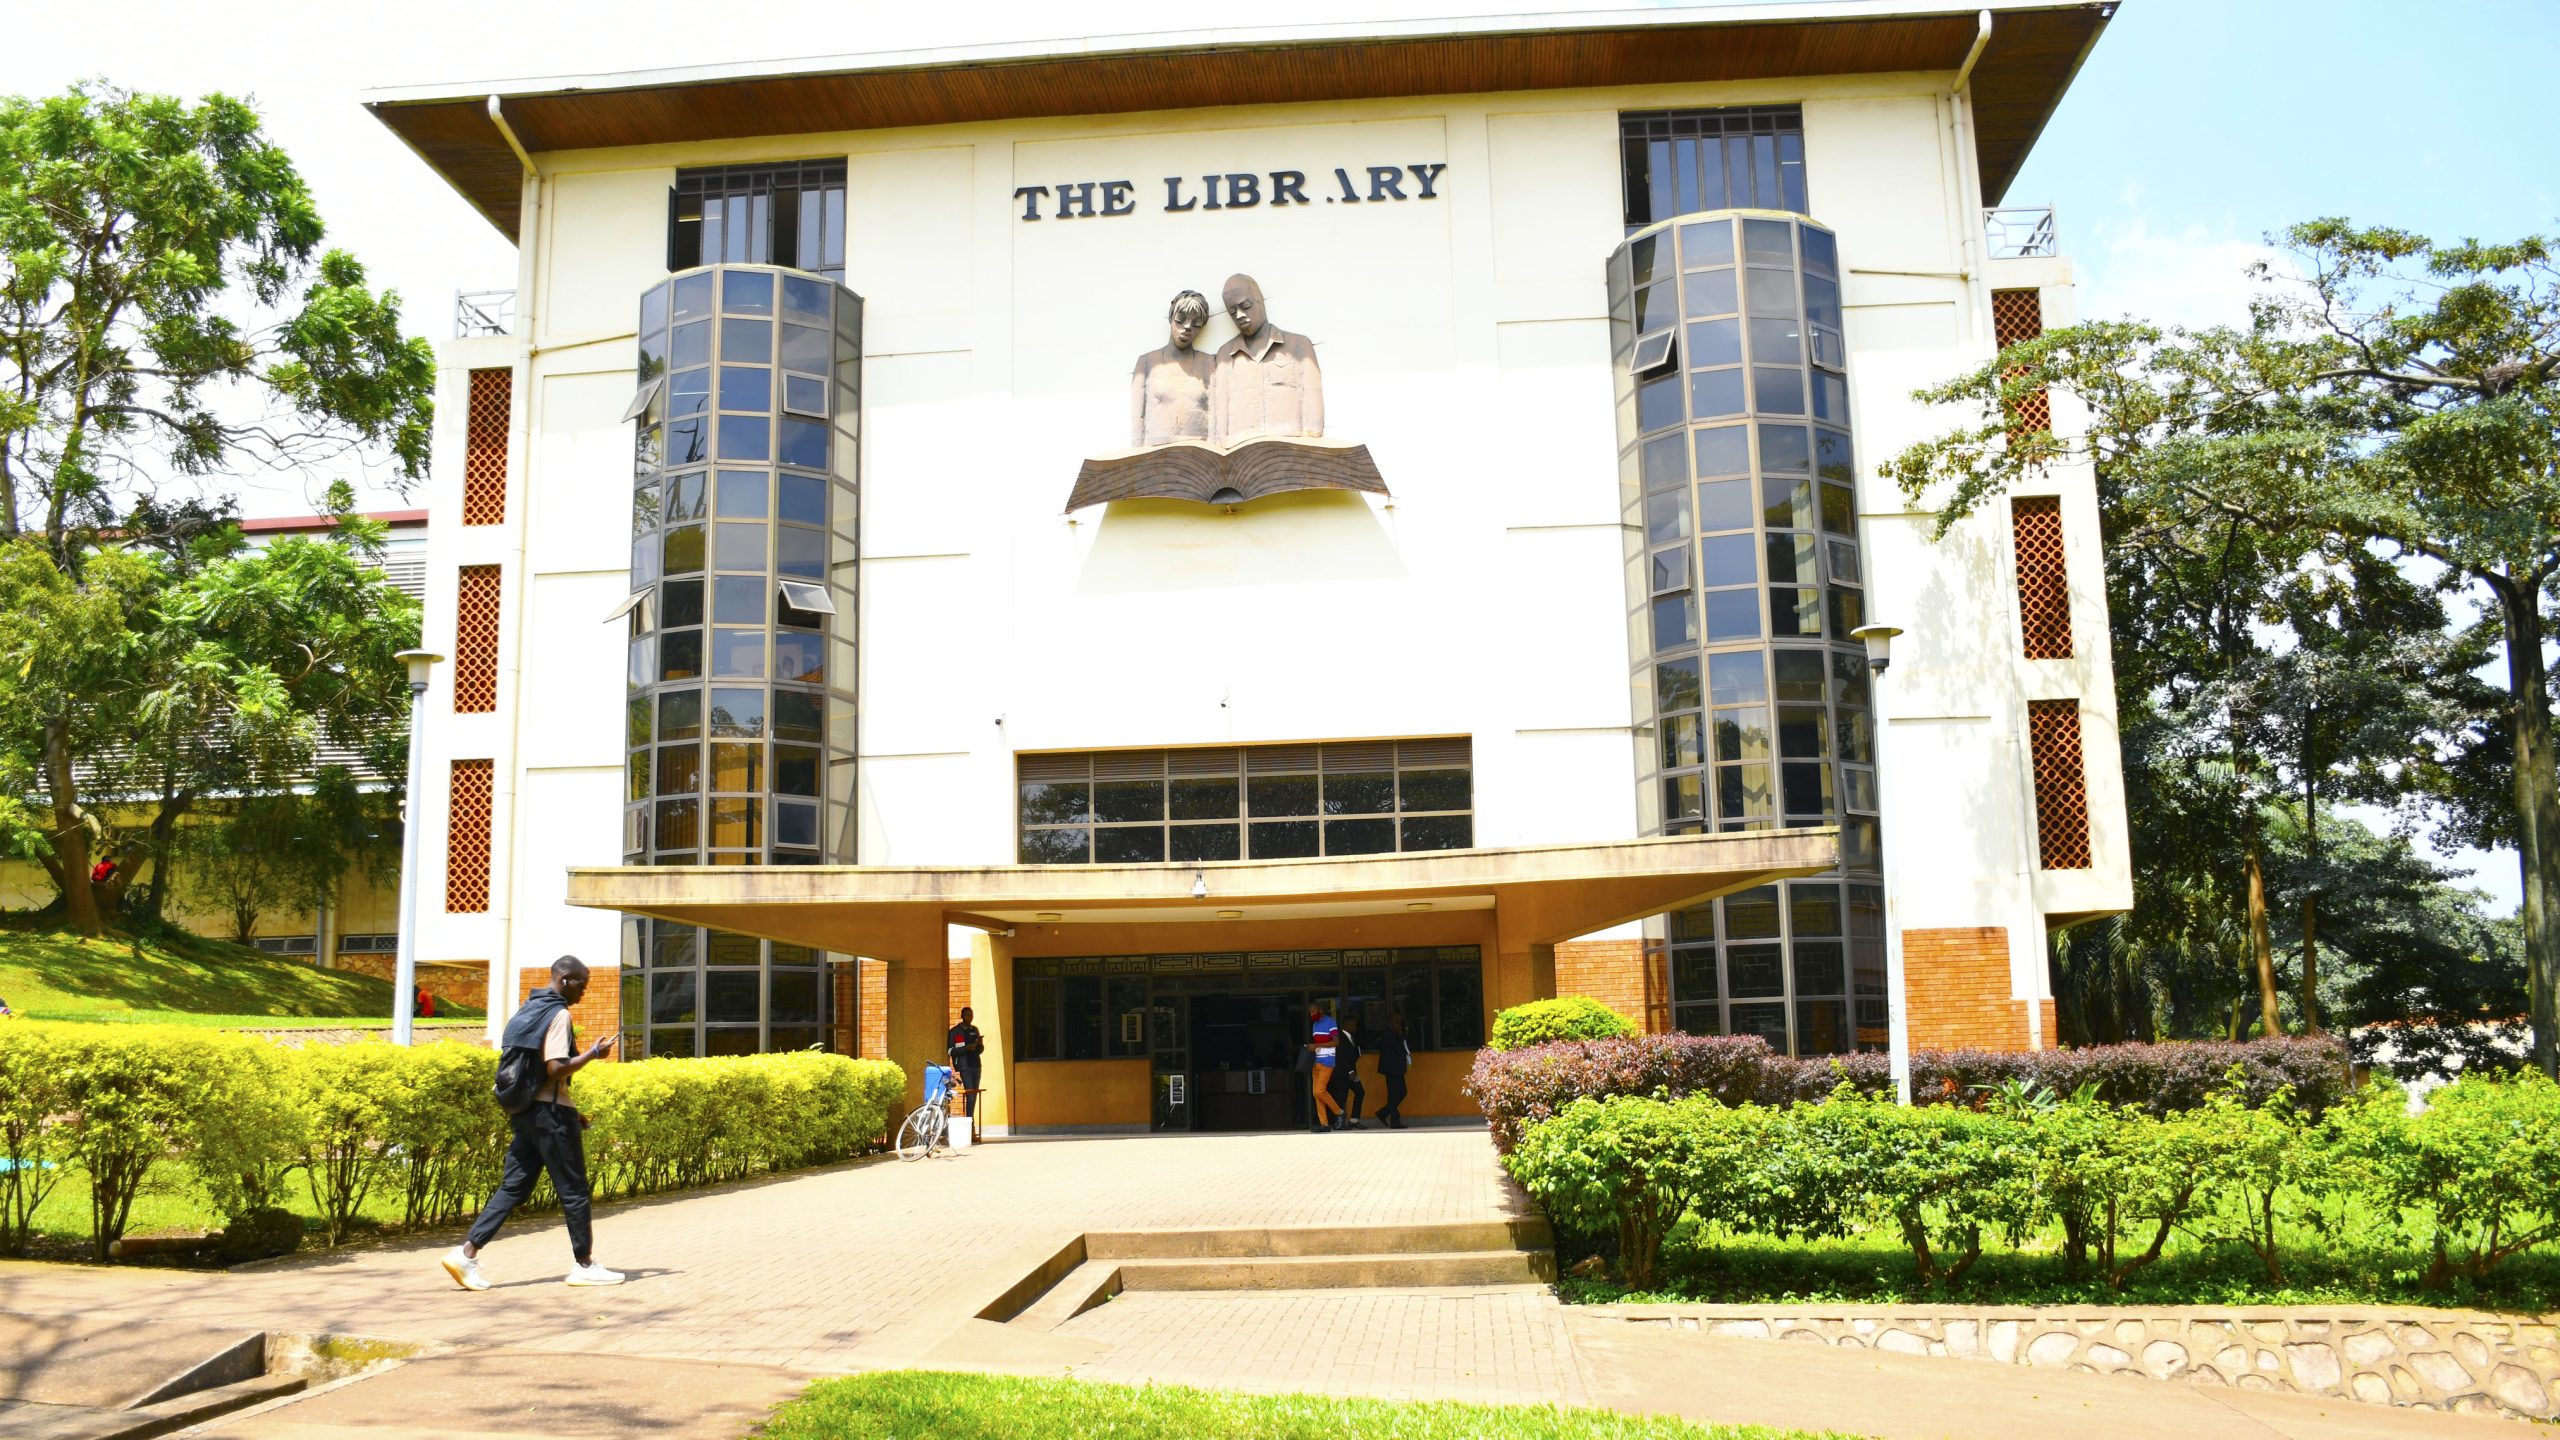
[2034,53]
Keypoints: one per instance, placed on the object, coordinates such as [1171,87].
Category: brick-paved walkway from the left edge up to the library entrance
[805,1270]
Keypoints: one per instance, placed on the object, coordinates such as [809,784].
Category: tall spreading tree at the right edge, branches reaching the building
[2364,416]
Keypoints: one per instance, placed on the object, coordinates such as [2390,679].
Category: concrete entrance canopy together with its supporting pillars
[1512,903]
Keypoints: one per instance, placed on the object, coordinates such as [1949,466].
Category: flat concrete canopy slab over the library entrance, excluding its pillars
[1537,896]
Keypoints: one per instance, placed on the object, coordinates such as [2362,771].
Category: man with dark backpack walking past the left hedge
[549,1134]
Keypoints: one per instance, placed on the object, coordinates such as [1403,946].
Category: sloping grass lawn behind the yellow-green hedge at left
[180,980]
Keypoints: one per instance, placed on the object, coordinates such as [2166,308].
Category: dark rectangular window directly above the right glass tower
[1681,163]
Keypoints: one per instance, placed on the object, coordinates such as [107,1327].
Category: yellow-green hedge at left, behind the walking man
[119,1103]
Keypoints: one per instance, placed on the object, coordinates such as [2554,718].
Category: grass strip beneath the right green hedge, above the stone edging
[2351,1257]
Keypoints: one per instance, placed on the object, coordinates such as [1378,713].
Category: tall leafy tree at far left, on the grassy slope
[165,311]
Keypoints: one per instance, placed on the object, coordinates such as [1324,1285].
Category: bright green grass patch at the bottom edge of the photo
[910,1405]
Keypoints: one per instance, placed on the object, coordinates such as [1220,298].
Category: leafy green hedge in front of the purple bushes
[2474,1180]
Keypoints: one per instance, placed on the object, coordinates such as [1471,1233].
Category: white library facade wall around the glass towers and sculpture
[1463,340]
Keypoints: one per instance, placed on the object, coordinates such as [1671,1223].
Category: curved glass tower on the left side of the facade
[741,688]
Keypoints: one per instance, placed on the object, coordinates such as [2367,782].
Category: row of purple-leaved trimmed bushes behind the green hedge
[1522,1088]
